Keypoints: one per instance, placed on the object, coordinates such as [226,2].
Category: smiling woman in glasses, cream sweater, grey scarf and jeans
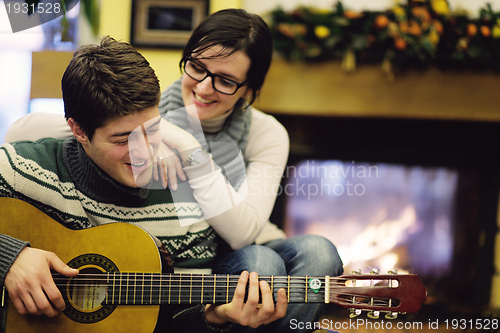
[224,66]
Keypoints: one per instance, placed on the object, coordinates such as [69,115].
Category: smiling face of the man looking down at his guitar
[125,146]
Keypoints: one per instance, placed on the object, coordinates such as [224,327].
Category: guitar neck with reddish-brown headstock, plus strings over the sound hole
[389,293]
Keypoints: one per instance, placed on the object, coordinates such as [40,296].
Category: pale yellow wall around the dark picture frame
[115,21]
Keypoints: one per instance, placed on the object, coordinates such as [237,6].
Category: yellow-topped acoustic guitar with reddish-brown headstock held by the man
[121,286]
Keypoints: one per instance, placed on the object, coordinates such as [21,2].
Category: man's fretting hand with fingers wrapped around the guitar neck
[249,313]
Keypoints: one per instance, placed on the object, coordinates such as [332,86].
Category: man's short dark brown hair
[106,81]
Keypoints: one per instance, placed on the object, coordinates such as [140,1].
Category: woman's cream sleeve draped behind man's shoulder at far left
[35,126]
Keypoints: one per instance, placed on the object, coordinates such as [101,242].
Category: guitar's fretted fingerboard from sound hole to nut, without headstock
[156,289]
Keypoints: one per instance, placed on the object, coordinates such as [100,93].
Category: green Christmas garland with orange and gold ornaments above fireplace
[419,34]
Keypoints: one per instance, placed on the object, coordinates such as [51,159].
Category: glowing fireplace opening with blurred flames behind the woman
[382,216]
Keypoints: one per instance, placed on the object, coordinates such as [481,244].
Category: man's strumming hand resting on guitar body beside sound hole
[31,286]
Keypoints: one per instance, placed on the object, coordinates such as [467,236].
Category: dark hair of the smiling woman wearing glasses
[235,30]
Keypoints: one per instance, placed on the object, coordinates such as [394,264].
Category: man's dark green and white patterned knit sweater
[57,177]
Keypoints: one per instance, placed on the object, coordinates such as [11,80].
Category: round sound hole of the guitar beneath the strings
[88,290]
